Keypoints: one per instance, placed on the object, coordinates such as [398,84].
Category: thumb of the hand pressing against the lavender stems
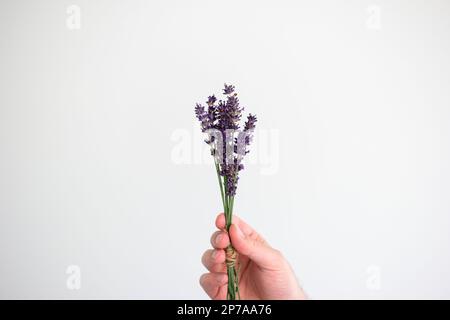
[255,248]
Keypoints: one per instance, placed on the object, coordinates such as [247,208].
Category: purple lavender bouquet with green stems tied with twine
[220,121]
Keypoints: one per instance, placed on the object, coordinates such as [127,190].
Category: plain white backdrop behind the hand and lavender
[104,192]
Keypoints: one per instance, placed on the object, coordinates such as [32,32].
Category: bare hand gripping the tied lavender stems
[264,272]
